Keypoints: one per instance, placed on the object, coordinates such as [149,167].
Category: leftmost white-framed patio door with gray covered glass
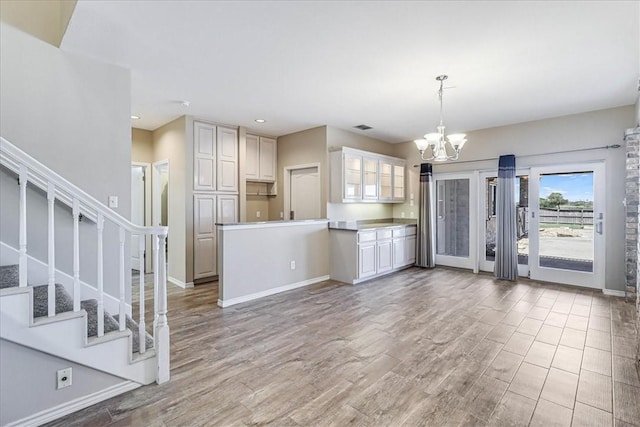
[455,231]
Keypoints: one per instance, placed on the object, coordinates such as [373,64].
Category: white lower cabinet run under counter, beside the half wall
[358,256]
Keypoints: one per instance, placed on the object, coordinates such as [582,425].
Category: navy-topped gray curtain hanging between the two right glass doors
[506,264]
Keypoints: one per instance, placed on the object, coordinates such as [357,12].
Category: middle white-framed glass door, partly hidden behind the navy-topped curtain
[487,185]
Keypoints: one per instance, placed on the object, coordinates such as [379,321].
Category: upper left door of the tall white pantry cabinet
[204,162]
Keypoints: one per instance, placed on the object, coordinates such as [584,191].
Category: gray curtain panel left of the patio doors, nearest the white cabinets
[426,256]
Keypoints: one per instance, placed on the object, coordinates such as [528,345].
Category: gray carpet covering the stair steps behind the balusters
[9,277]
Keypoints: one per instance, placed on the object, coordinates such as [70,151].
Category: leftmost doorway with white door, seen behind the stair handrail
[140,211]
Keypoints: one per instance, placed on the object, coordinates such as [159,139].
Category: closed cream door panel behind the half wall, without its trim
[305,194]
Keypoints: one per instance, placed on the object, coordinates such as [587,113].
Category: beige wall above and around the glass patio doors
[535,139]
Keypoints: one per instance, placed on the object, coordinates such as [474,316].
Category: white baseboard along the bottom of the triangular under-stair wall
[75,405]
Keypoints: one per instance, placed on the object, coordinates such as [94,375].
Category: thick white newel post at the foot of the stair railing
[162,325]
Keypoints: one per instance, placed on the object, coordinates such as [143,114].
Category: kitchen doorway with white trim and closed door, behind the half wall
[302,192]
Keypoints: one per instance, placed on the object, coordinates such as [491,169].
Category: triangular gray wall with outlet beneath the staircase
[29,382]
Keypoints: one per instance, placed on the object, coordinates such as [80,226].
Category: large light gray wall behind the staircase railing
[71,114]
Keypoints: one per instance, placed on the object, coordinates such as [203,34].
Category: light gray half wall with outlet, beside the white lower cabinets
[253,260]
